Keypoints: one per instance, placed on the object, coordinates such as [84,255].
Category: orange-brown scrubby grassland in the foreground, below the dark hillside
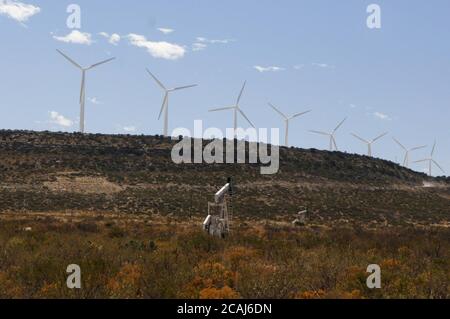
[137,256]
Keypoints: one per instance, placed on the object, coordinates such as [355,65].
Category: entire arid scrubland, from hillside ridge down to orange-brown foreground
[131,219]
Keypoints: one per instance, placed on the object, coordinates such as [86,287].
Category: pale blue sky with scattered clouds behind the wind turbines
[317,55]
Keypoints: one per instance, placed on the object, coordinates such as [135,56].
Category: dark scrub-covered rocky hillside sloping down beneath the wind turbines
[42,172]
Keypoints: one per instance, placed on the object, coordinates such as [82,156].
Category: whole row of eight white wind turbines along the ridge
[237,110]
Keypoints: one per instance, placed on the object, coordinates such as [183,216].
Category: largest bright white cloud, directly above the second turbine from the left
[162,49]
